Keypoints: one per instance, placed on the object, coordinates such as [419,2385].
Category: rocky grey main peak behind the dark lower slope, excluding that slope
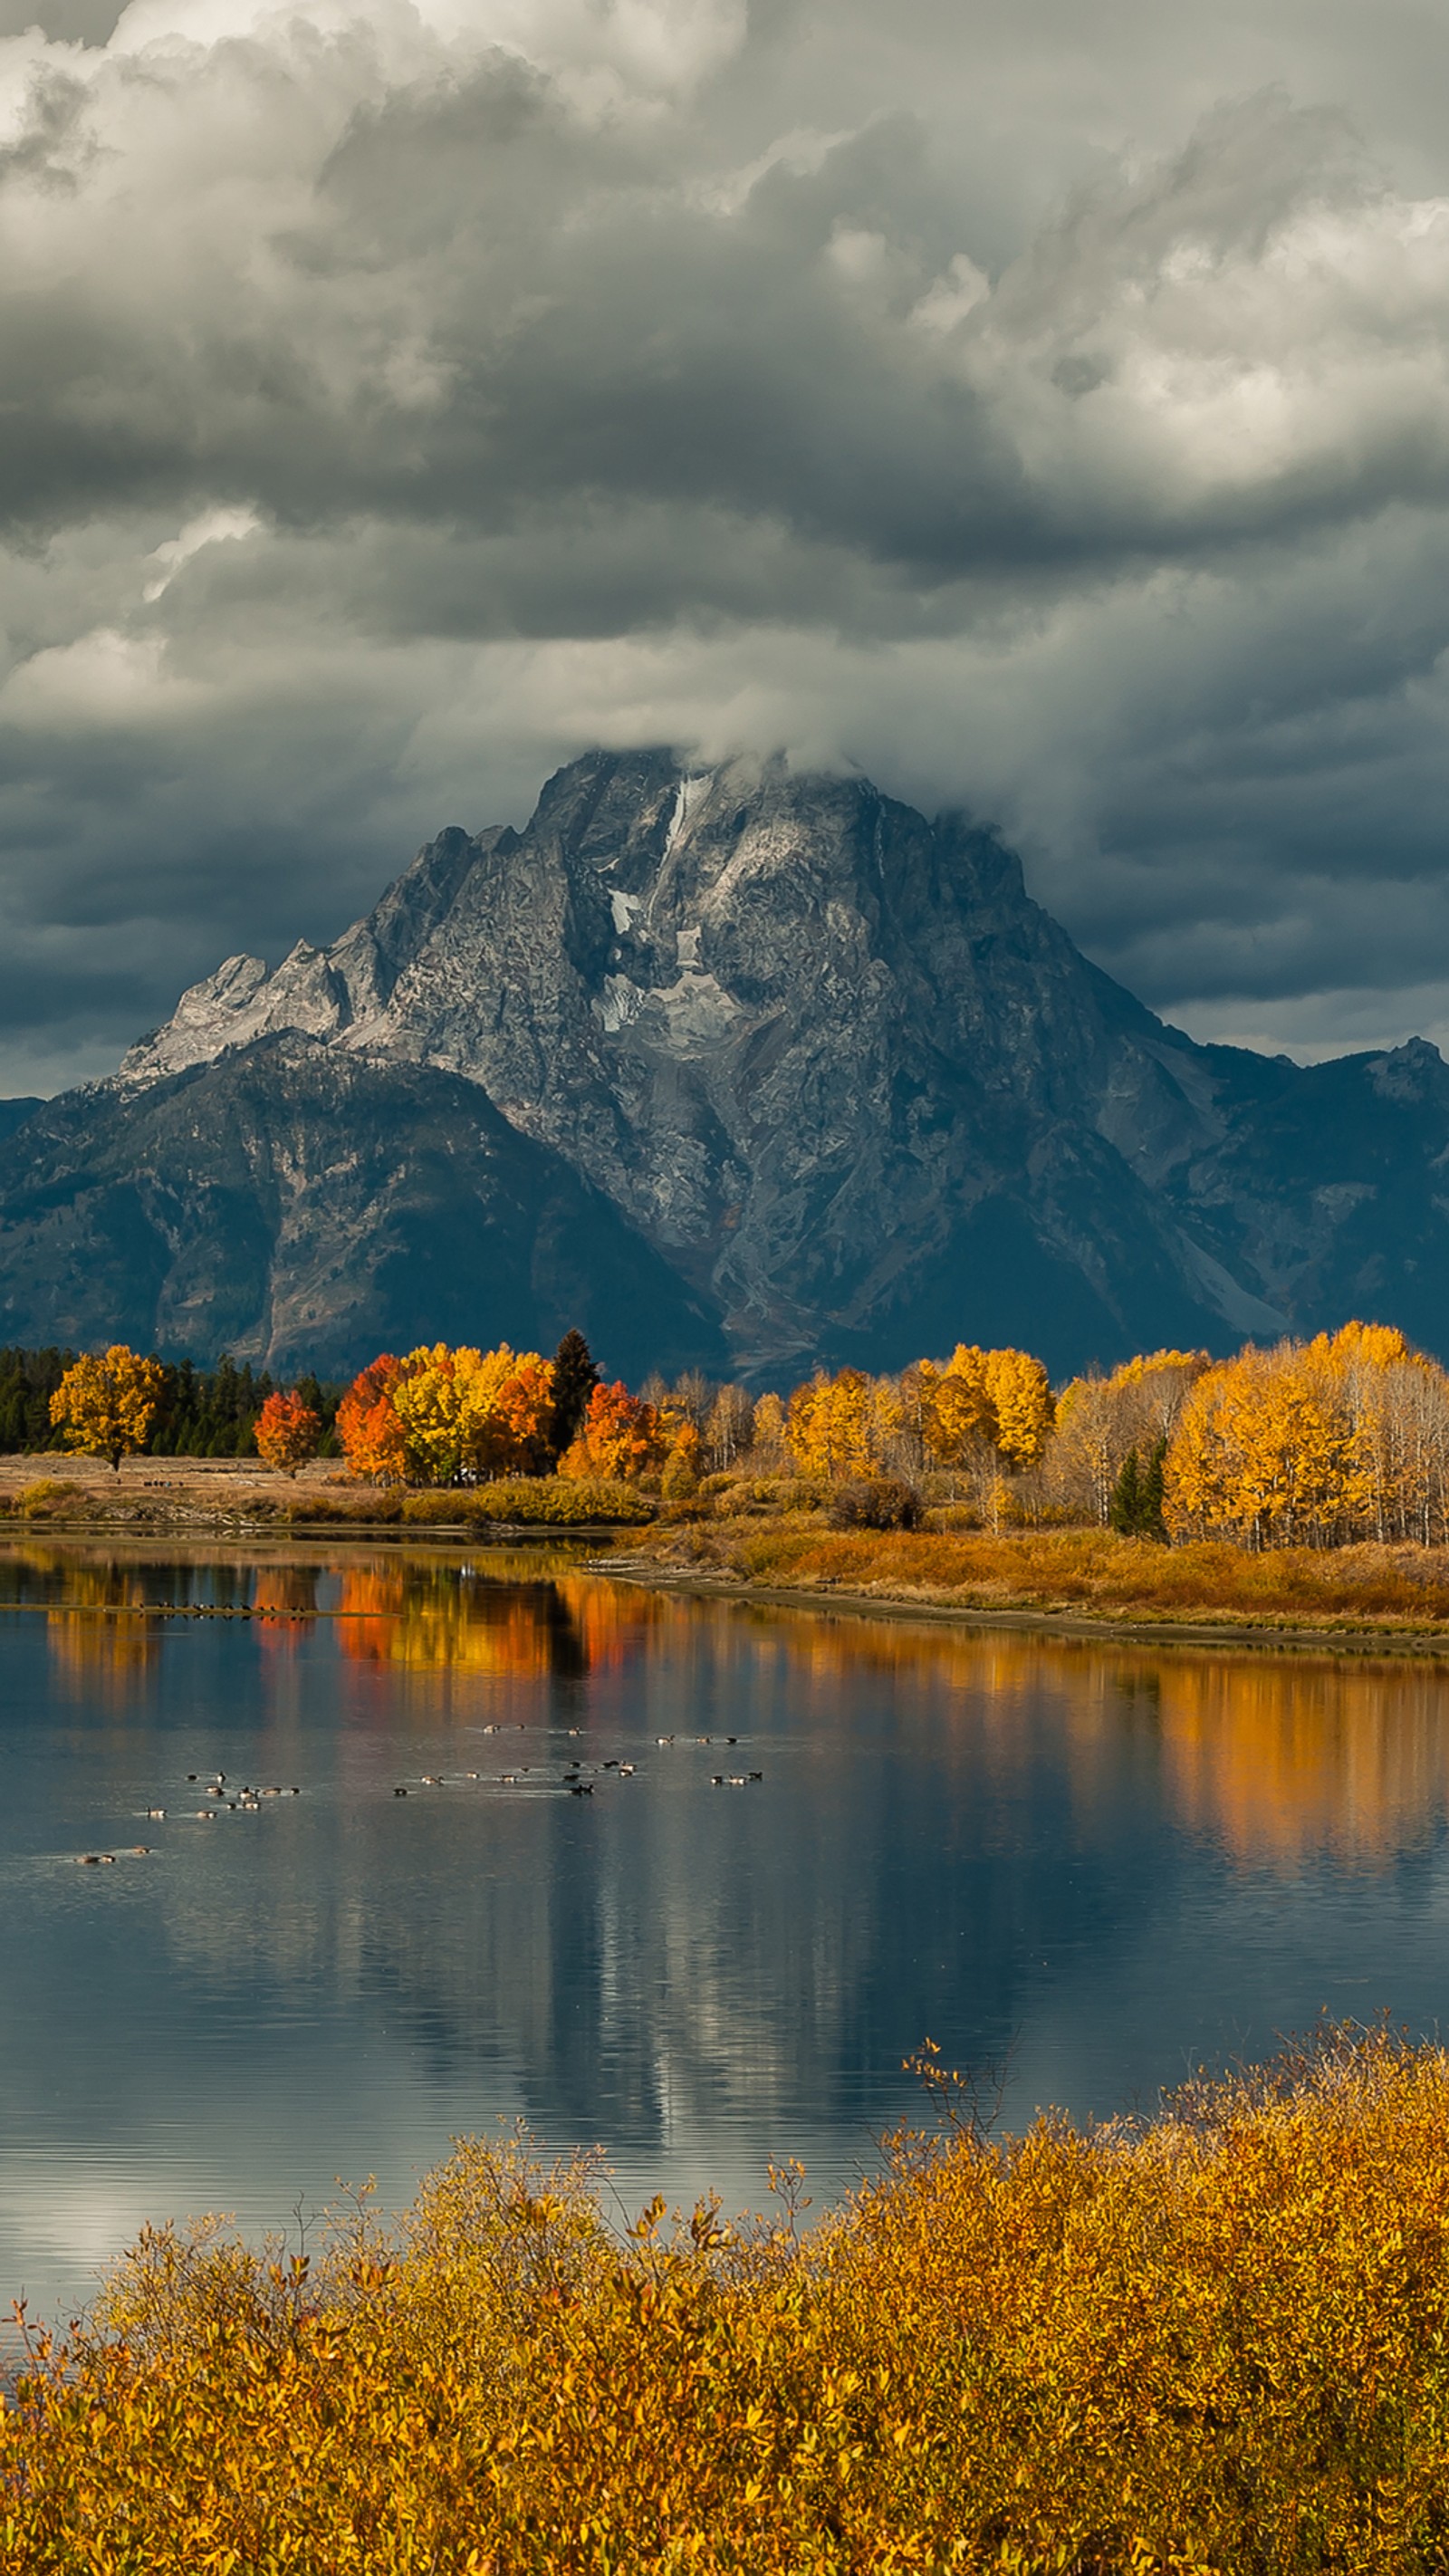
[833,1070]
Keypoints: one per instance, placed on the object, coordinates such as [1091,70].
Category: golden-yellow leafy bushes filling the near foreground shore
[1214,2343]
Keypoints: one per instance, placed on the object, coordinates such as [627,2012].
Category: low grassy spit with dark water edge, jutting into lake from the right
[1072,1580]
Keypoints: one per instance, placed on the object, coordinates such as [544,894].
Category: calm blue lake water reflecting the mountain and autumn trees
[1093,1864]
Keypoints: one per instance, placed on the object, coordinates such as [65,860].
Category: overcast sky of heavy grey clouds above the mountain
[1041,408]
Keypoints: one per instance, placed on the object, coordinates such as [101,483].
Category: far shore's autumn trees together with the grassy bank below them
[1283,1493]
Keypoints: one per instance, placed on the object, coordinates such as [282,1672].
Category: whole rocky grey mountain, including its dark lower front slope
[817,1068]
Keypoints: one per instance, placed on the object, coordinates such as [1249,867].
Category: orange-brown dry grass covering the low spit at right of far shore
[1069,1570]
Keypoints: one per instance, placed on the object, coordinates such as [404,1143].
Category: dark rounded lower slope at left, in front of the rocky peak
[302,1207]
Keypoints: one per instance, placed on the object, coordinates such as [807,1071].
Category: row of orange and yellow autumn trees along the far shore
[1306,1444]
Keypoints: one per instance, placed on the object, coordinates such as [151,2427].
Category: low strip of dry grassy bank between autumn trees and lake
[1080,1583]
